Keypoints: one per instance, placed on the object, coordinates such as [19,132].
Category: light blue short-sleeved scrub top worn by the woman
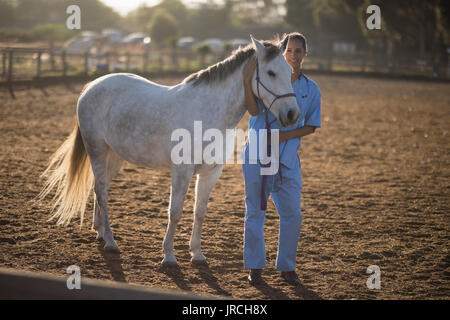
[309,100]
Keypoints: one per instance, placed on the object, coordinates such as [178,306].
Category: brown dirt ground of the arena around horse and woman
[376,191]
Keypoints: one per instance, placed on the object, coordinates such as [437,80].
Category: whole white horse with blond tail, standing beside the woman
[126,117]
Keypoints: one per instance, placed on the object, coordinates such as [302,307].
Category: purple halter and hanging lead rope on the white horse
[269,150]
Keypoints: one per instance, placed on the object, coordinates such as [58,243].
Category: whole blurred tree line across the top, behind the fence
[407,25]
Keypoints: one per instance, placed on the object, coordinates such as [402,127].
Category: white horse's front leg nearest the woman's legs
[203,187]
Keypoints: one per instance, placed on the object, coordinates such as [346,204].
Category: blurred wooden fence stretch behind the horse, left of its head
[20,64]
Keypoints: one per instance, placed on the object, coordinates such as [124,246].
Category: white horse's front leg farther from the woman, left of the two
[181,176]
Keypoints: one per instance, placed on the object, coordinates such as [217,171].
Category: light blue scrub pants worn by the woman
[286,195]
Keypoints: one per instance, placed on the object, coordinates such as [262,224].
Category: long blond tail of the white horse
[69,171]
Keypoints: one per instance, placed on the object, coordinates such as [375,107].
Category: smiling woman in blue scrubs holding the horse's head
[285,186]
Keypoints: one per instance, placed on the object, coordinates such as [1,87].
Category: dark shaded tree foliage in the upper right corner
[413,24]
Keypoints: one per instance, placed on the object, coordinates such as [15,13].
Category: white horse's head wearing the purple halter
[272,84]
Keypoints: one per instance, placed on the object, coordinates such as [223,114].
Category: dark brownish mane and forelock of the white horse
[223,69]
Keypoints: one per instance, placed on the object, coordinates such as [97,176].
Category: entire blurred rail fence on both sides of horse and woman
[22,64]
